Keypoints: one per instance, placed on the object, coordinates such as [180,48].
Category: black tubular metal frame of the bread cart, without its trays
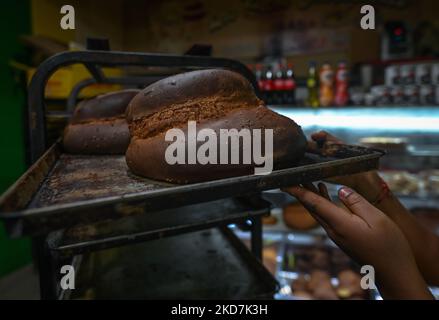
[47,260]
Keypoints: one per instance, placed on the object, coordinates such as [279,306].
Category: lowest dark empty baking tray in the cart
[213,265]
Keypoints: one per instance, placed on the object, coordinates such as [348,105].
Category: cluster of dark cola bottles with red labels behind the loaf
[276,83]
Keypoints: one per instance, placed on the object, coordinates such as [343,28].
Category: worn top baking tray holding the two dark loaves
[62,190]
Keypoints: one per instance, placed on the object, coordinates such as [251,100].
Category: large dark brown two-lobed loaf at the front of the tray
[215,99]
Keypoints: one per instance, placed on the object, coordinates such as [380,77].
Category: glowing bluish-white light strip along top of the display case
[358,121]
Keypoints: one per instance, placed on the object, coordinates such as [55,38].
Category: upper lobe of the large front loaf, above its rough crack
[190,90]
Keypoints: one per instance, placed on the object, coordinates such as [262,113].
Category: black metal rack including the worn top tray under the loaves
[67,228]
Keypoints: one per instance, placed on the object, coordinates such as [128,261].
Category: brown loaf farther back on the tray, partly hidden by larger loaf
[98,125]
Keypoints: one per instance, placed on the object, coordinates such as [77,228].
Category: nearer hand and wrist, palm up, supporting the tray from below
[369,237]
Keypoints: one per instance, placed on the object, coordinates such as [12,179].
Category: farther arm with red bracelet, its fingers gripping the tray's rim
[424,243]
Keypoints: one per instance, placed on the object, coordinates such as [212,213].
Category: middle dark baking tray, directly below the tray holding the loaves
[159,224]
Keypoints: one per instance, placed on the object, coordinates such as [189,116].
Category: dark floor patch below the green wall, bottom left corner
[20,285]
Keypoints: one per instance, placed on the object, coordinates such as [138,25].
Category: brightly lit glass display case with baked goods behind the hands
[410,136]
